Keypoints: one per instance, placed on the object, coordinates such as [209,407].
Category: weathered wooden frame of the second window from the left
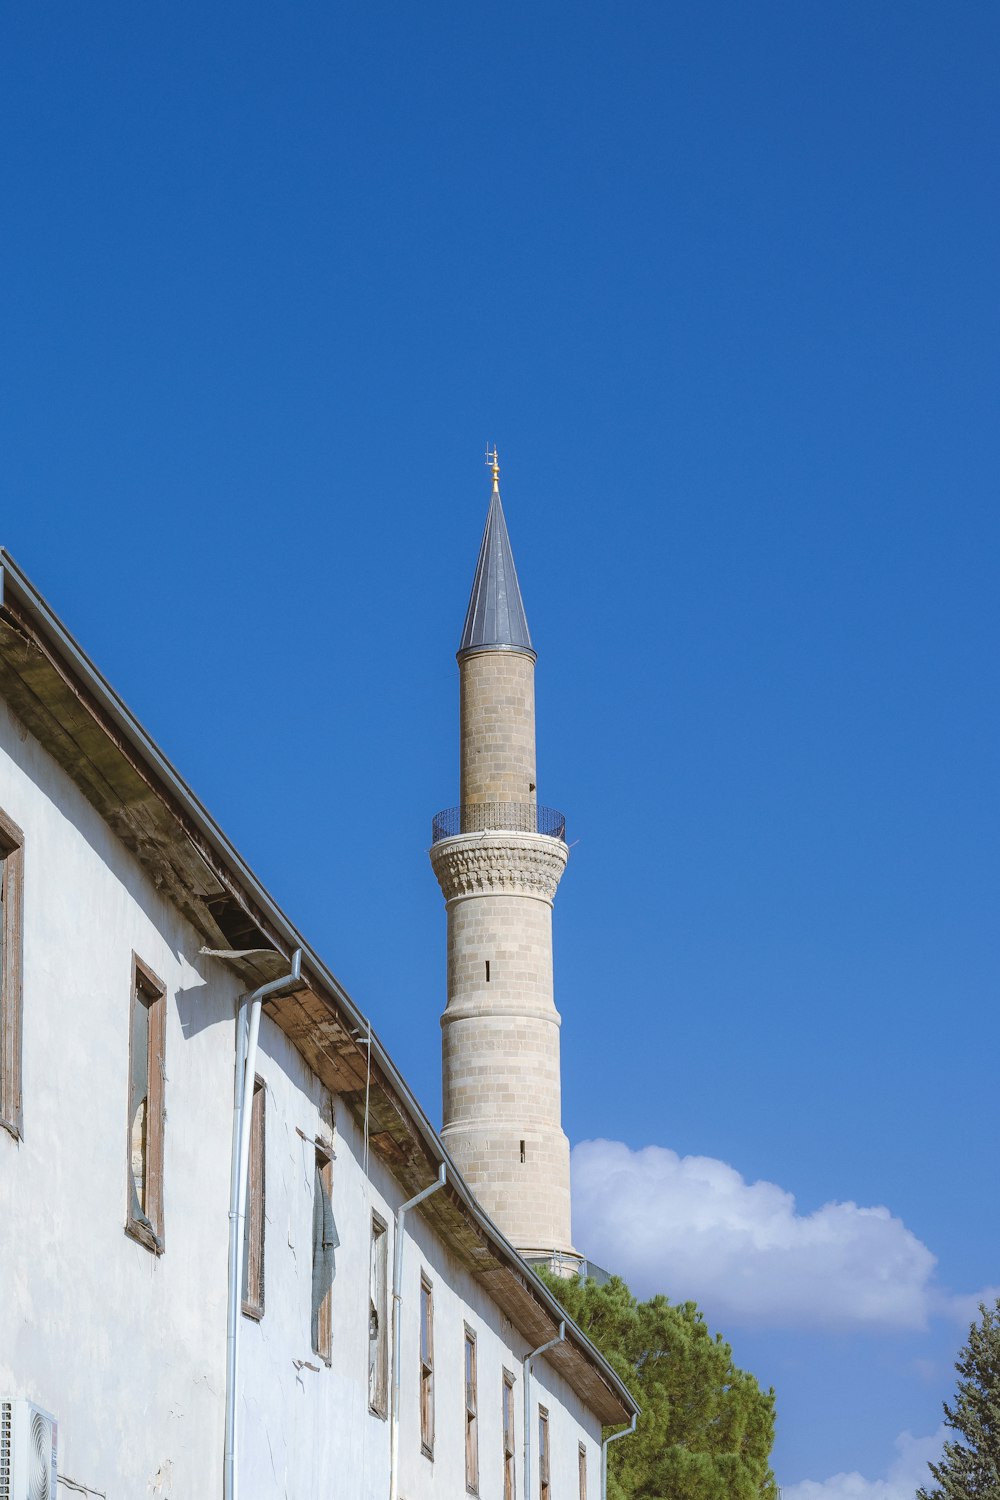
[146,1222]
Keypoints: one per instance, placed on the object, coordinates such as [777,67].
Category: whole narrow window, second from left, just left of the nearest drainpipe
[145,1219]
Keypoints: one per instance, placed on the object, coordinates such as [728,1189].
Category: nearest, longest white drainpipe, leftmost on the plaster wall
[248,1030]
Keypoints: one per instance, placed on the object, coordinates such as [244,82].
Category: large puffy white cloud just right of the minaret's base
[695,1229]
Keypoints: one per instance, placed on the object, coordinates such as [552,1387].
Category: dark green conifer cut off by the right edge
[971,1471]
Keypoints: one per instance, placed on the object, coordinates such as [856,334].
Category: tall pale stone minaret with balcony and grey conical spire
[499,859]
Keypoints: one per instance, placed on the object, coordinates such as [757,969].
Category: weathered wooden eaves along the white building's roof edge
[77,716]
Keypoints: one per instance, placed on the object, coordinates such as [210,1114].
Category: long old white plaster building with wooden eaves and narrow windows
[118,1049]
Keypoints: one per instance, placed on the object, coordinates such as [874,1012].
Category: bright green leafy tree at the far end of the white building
[707,1427]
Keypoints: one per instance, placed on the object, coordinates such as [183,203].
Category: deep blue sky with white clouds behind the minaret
[720,283]
